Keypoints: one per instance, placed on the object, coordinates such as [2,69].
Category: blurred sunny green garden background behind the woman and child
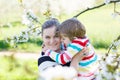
[20,63]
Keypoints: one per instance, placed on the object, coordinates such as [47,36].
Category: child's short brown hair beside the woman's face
[72,28]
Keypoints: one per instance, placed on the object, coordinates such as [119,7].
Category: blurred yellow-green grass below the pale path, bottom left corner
[18,69]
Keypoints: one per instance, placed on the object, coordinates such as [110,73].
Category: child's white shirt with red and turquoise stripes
[87,66]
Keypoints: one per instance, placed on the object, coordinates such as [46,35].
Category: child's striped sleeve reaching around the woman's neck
[65,56]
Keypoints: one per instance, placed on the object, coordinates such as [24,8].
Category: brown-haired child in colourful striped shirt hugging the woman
[73,36]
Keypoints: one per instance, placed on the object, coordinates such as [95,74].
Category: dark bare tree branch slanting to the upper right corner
[88,9]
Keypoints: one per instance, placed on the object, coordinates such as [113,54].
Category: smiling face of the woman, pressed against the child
[51,40]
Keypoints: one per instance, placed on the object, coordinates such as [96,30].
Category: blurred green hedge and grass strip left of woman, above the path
[33,45]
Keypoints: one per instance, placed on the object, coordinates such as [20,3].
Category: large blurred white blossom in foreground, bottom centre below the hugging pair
[59,72]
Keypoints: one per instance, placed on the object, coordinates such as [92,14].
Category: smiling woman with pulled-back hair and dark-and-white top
[51,40]
